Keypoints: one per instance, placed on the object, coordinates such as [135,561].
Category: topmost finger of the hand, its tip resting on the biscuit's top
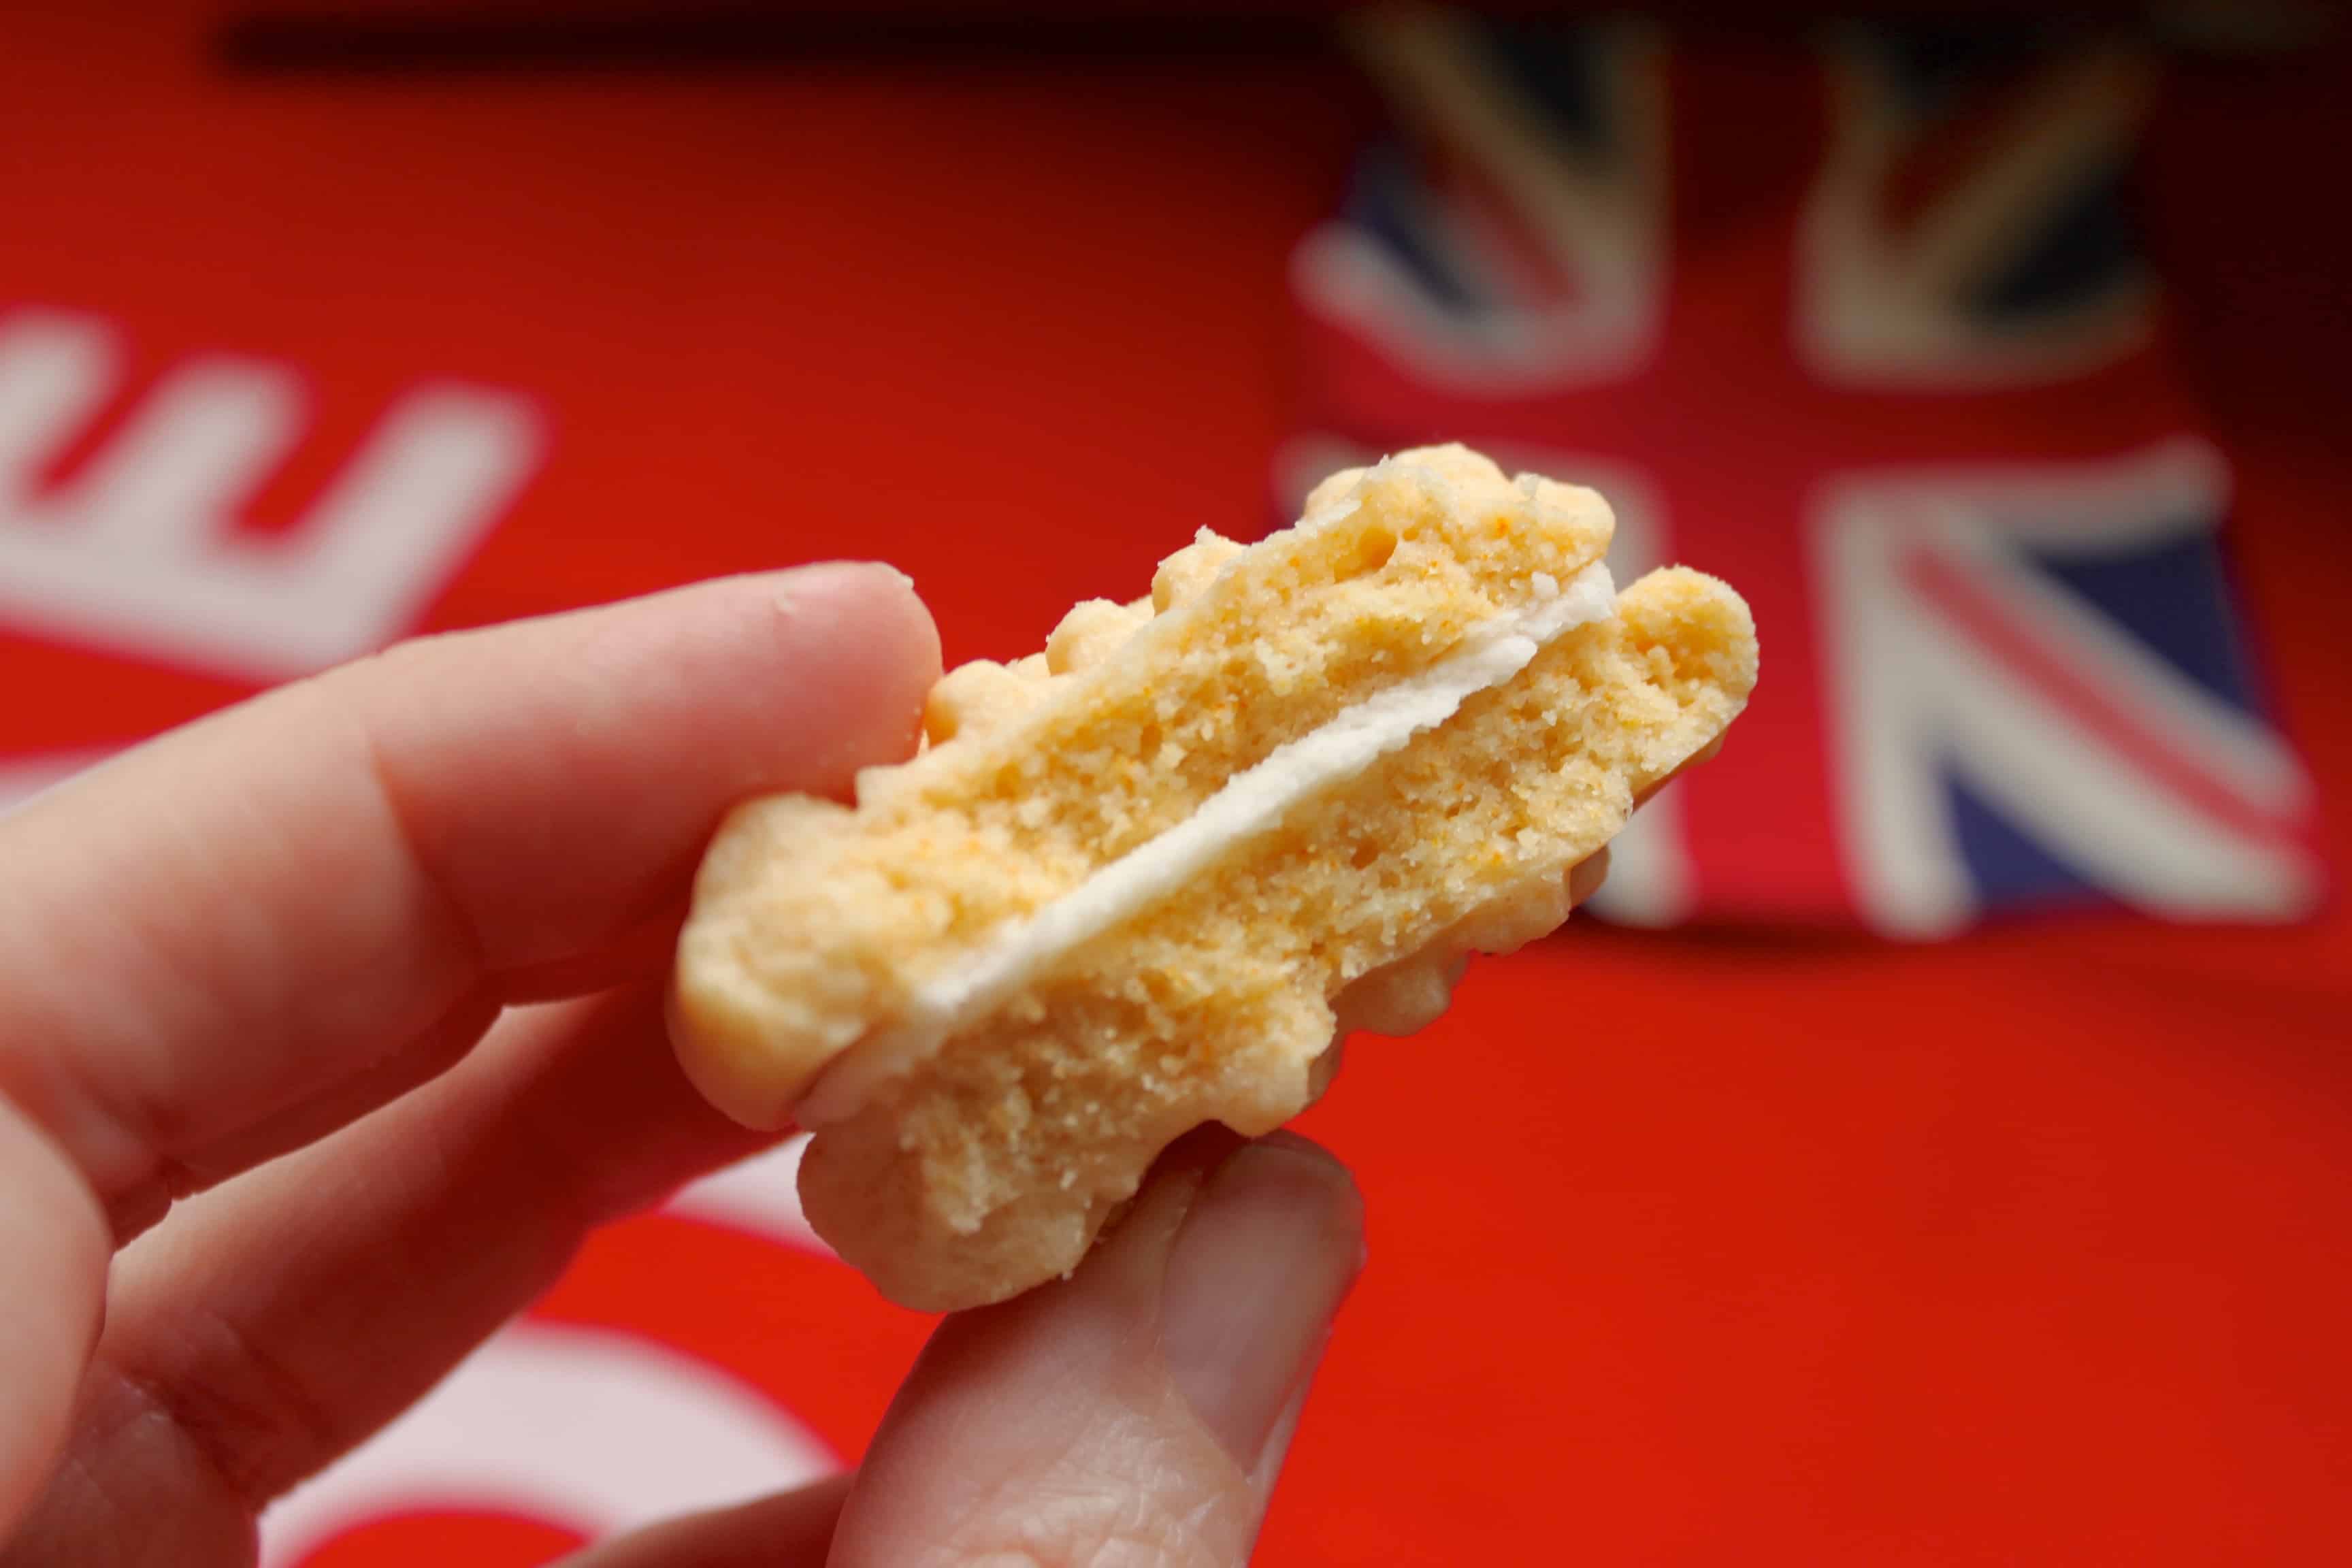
[260,906]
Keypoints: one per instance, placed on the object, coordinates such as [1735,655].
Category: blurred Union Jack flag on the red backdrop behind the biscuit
[1873,342]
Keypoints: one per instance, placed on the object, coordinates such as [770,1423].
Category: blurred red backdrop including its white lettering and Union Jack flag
[1944,1146]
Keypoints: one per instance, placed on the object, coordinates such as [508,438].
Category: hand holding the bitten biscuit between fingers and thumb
[361,981]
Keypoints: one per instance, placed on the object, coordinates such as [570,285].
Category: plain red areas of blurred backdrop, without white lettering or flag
[1728,1247]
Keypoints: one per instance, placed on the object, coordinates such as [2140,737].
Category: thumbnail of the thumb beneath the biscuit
[1262,1264]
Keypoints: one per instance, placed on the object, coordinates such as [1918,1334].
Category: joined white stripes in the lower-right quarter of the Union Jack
[1913,702]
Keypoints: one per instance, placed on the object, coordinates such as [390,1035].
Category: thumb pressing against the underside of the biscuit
[1140,1409]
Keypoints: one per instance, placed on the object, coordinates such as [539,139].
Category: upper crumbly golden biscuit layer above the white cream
[813,923]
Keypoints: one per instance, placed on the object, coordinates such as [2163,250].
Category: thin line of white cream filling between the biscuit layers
[1248,805]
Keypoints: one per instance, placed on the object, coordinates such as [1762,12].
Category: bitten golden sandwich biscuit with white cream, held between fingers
[1140,883]
